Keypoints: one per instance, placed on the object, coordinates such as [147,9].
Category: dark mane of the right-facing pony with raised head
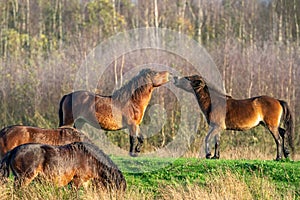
[135,87]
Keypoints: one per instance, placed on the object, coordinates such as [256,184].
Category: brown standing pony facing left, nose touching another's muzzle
[222,112]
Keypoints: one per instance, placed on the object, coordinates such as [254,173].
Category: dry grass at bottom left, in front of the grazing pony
[45,190]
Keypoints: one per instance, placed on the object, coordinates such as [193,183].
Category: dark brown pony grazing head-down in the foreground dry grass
[77,162]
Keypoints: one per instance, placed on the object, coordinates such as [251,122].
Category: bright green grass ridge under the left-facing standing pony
[155,174]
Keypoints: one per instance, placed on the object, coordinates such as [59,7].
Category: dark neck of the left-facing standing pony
[204,101]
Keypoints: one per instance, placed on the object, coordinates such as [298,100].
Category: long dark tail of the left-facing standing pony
[288,124]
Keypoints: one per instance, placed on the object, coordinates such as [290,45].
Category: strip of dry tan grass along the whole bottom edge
[221,185]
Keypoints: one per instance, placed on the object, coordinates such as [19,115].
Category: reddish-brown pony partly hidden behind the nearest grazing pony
[13,136]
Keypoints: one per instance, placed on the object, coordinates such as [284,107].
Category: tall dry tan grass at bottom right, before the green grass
[226,186]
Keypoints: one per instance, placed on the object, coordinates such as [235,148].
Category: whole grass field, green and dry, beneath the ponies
[184,178]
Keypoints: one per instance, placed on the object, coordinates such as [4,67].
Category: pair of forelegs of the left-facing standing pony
[213,131]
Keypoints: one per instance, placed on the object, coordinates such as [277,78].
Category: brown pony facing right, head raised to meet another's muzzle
[124,109]
